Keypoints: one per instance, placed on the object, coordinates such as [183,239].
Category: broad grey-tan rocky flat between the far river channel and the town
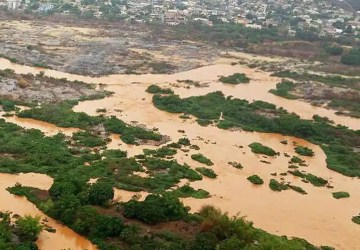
[91,48]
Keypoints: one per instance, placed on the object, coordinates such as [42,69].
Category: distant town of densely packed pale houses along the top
[324,18]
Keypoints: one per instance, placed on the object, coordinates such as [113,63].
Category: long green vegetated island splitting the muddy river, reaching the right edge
[338,142]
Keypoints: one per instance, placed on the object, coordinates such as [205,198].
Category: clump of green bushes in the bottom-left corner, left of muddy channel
[24,229]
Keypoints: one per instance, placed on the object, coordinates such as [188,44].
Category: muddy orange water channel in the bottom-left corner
[64,238]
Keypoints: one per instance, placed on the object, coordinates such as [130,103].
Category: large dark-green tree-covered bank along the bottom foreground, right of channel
[209,229]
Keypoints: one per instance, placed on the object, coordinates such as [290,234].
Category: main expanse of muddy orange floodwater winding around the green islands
[317,216]
